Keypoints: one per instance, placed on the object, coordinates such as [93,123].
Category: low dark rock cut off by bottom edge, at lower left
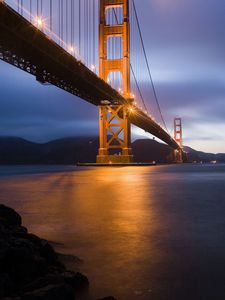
[51,292]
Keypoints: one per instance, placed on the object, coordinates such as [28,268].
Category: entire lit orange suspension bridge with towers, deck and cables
[93,49]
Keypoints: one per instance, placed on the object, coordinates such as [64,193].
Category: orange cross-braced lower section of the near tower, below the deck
[114,135]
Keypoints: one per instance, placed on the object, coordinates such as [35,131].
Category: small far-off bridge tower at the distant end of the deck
[178,136]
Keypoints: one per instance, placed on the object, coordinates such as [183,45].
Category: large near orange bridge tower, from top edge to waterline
[114,125]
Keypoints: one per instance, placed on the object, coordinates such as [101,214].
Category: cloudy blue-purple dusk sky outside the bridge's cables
[185,45]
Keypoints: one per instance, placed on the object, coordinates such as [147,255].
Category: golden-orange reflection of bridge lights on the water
[104,215]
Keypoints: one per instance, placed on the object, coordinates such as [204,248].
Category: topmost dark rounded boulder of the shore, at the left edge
[9,216]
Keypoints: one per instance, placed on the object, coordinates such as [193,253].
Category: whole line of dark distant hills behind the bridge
[15,150]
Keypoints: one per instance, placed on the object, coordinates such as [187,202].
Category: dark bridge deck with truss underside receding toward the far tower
[27,48]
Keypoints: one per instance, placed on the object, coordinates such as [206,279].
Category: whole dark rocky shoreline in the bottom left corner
[30,269]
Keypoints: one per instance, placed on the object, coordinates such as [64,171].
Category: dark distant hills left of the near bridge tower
[15,150]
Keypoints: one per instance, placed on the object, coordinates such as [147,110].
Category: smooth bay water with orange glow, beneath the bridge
[148,233]
